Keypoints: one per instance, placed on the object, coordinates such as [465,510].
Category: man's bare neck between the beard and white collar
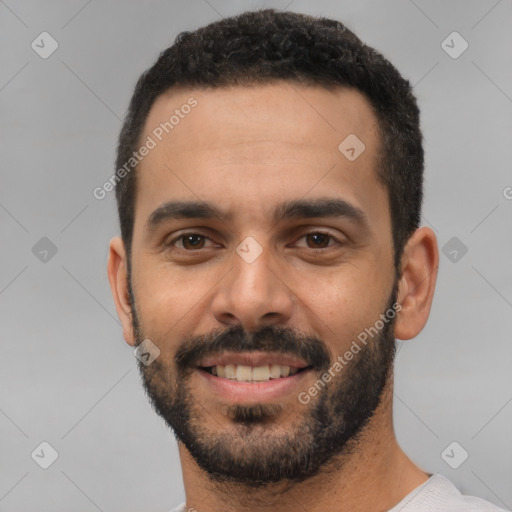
[373,474]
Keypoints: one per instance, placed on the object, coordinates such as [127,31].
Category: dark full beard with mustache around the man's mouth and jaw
[256,449]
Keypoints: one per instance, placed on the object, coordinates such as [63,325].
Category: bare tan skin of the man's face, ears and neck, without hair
[247,149]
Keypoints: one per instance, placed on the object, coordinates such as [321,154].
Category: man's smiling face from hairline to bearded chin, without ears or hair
[260,253]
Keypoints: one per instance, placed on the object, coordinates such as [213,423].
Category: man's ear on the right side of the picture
[418,271]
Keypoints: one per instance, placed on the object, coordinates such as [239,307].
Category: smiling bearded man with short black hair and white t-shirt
[269,189]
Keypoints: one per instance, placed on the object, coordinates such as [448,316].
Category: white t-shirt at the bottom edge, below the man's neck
[437,494]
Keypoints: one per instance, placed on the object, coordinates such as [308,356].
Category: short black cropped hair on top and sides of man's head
[265,46]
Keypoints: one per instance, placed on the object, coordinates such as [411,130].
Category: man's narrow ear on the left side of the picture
[118,277]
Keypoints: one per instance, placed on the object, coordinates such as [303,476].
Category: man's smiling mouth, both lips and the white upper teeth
[253,377]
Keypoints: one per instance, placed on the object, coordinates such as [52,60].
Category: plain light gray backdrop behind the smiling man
[68,377]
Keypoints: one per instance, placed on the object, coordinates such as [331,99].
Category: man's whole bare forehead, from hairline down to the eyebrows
[245,147]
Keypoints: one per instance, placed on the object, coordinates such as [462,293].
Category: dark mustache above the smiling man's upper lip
[267,339]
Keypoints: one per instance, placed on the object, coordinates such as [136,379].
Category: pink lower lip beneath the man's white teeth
[265,391]
